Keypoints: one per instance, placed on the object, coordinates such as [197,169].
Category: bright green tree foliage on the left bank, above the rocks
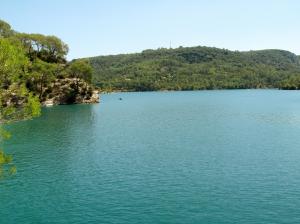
[28,65]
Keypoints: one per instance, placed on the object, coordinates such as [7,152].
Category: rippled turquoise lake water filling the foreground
[170,157]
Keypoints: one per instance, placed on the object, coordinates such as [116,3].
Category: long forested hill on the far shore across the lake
[196,68]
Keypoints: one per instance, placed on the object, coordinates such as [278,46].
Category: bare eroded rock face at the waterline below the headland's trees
[69,91]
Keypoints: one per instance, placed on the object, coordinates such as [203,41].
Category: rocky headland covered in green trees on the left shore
[34,70]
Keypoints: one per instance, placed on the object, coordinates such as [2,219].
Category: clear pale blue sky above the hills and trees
[98,27]
